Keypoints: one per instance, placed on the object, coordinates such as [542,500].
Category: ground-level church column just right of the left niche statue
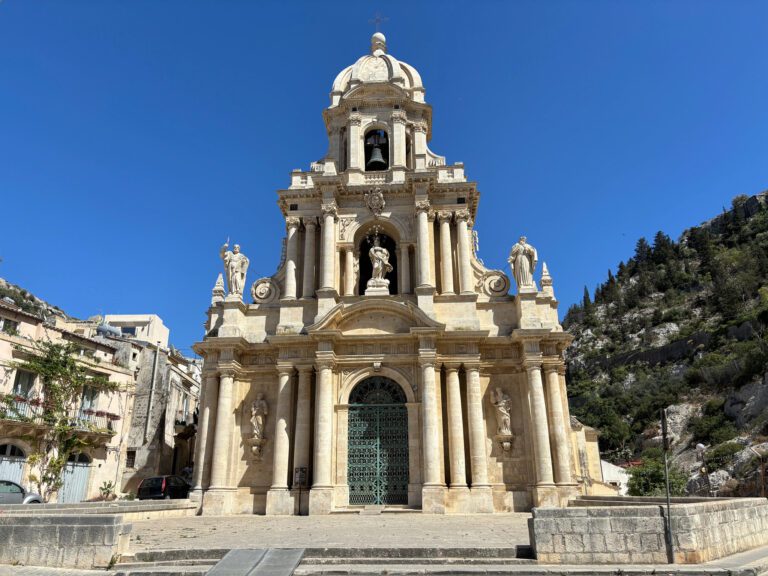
[279,500]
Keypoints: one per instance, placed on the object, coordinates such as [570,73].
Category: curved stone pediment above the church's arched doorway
[374,316]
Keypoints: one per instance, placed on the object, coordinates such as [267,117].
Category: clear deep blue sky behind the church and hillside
[135,136]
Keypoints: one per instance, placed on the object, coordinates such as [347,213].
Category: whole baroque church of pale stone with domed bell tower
[383,364]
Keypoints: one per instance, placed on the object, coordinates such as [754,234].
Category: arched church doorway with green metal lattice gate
[377,450]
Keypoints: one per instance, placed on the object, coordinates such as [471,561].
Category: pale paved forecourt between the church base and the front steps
[342,530]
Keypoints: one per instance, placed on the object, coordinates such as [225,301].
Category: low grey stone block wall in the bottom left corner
[70,541]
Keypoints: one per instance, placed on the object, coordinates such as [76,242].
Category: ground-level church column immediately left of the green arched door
[321,495]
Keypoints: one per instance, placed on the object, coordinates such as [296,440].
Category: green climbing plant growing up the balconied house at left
[63,378]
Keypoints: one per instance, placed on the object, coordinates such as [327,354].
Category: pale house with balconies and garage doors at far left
[102,418]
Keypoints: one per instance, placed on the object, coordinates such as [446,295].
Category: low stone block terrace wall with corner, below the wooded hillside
[611,534]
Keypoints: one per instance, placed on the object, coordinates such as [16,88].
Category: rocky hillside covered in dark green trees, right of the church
[681,324]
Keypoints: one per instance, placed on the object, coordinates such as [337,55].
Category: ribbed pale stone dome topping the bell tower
[378,67]
